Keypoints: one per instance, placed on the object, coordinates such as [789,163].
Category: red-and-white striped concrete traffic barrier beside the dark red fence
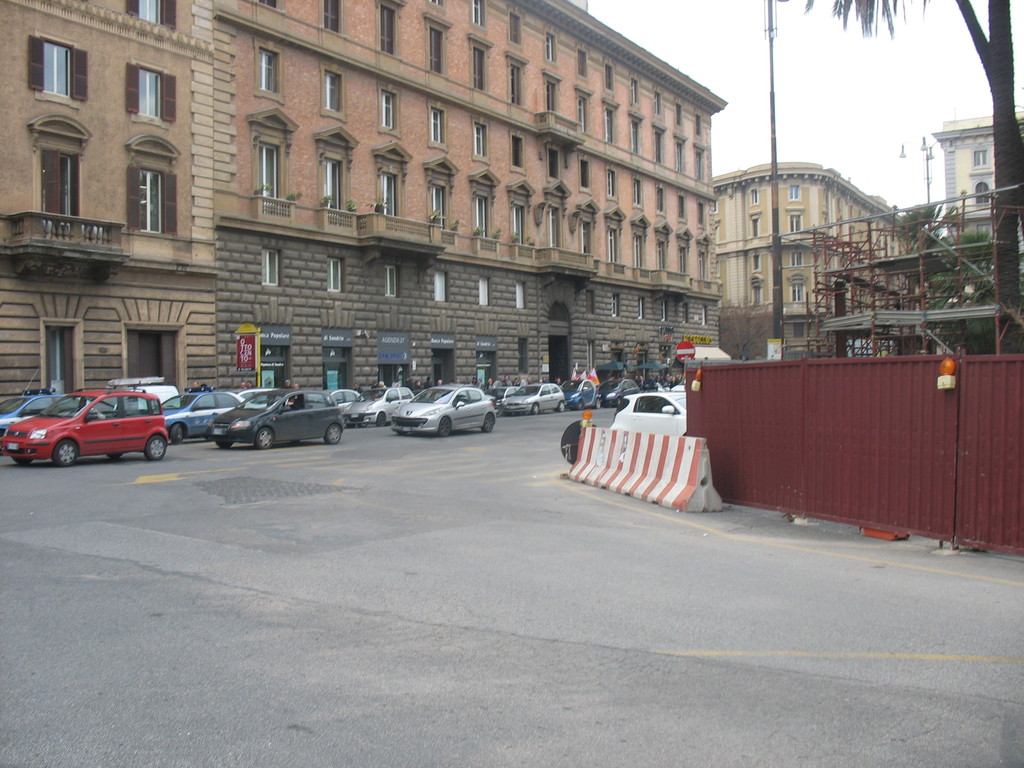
[670,472]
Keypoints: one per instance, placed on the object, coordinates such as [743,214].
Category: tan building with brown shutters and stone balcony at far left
[107,226]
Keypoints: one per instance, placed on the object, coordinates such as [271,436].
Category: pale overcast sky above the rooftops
[841,101]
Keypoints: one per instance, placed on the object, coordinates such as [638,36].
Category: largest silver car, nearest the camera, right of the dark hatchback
[445,409]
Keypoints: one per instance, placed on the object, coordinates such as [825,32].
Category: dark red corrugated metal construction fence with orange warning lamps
[873,443]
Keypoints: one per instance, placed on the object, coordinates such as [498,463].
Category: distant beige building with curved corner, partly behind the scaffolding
[809,197]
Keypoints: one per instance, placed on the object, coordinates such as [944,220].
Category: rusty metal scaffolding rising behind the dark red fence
[894,283]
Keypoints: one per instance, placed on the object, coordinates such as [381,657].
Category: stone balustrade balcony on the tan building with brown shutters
[49,246]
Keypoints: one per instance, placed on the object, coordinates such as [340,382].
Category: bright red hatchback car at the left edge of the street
[91,423]
